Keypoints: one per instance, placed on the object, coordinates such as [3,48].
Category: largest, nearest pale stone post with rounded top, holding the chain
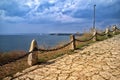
[32,57]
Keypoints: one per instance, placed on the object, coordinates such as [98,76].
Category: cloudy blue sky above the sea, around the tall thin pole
[56,16]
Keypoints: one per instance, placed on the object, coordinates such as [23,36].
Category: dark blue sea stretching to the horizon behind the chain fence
[22,42]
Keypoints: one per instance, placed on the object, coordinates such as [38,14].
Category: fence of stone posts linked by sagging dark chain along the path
[34,47]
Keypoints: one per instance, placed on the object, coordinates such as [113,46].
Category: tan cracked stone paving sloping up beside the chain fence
[100,61]
